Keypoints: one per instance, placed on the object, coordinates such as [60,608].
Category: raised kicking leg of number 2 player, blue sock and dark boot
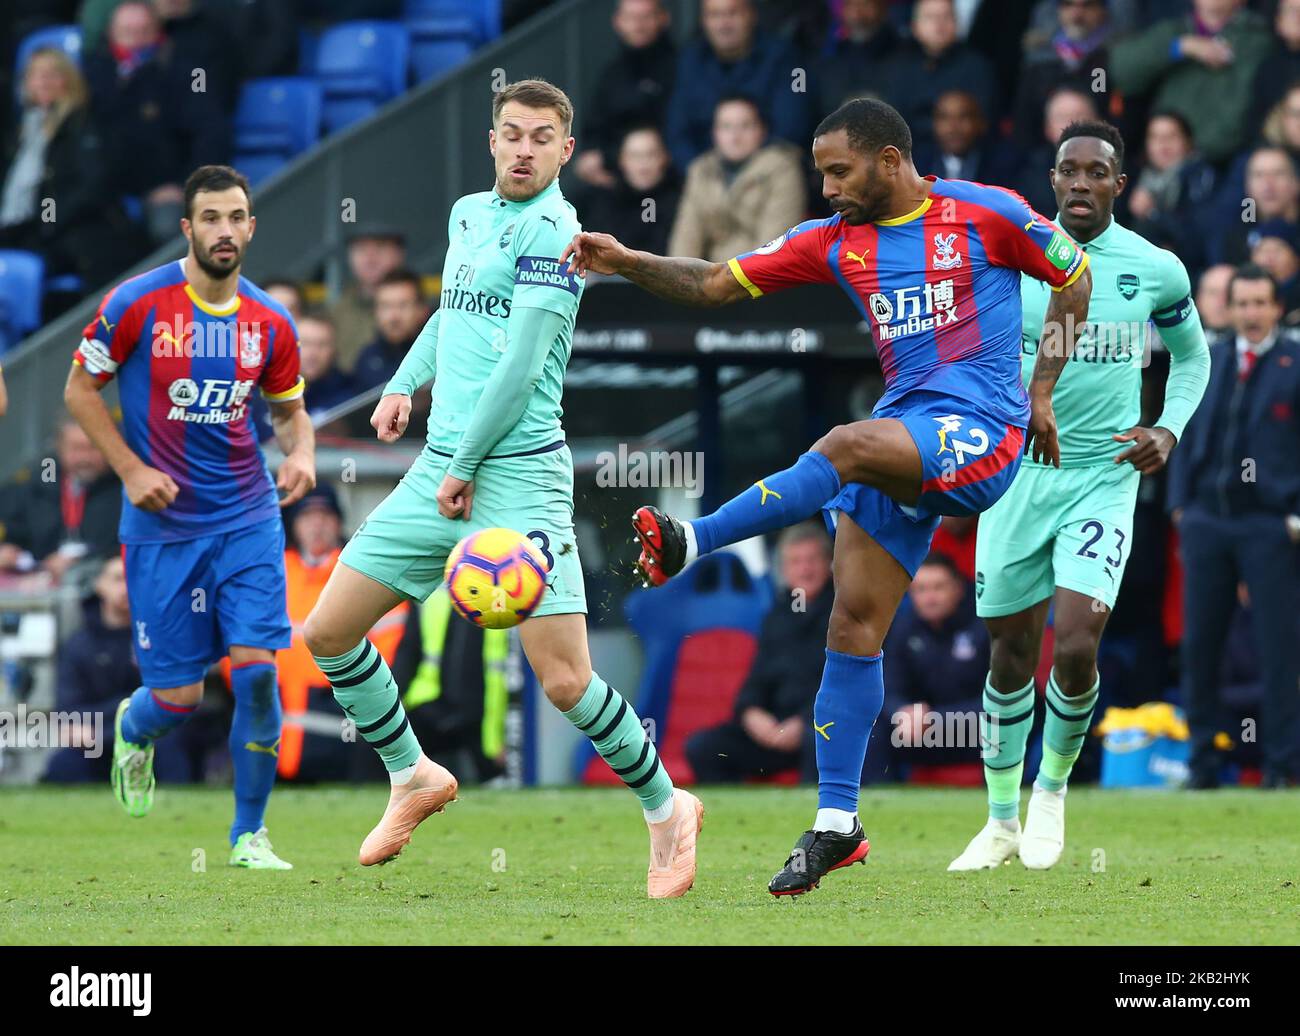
[879,453]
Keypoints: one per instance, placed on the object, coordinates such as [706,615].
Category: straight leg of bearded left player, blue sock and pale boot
[254,755]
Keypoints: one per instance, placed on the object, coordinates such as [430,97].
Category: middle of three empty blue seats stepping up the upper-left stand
[361,66]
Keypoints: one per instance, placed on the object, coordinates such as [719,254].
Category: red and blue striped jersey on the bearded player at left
[185,371]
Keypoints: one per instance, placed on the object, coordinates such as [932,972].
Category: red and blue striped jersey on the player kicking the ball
[941,288]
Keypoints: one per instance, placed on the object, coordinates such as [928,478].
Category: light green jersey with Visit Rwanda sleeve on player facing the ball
[502,254]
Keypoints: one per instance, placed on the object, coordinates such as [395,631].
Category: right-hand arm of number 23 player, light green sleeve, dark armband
[1180,328]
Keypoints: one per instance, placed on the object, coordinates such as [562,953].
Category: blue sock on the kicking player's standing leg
[847,706]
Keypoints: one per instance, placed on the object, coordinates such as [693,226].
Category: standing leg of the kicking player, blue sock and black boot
[869,584]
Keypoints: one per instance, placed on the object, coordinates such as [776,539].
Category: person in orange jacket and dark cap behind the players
[310,744]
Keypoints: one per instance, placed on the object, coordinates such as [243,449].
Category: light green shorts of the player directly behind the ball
[405,541]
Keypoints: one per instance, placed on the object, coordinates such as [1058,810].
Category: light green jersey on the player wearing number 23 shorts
[1100,391]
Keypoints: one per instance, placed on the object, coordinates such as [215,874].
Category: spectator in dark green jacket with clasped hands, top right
[1203,67]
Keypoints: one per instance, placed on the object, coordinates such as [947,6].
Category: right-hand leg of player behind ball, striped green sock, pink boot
[557,651]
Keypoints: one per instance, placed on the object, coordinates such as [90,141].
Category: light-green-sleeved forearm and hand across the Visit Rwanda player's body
[530,335]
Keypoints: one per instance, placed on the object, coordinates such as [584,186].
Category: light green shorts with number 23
[1056,527]
